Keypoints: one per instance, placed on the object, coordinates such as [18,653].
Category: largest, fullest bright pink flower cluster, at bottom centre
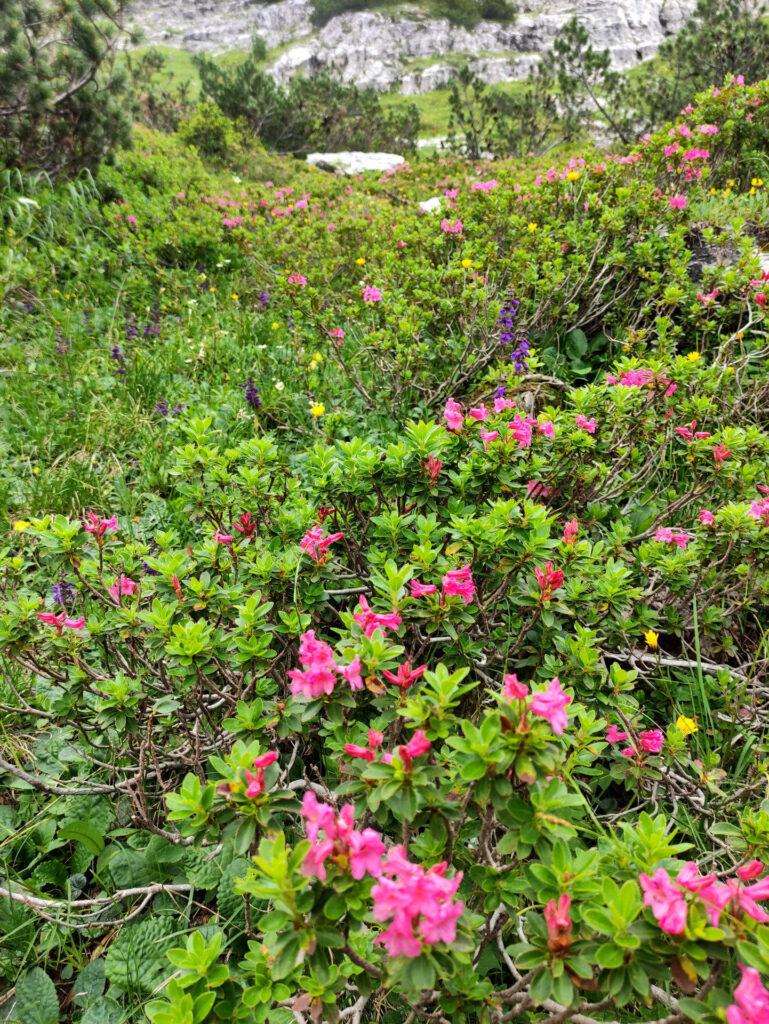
[421,905]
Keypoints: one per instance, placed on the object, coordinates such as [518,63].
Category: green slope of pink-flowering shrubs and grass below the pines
[383,594]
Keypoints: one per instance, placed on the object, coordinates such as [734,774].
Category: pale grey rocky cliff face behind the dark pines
[408,51]
